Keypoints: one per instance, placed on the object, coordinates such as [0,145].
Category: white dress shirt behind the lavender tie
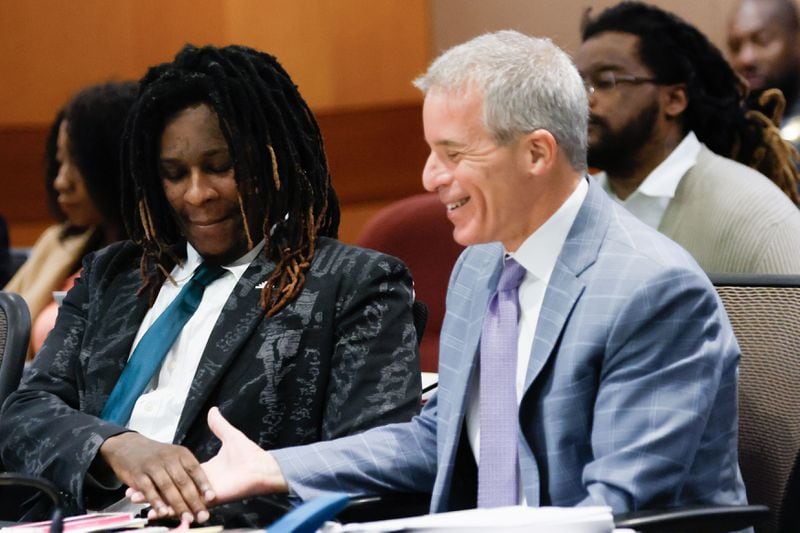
[538,254]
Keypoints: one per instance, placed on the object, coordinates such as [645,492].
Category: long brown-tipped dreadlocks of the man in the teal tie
[278,158]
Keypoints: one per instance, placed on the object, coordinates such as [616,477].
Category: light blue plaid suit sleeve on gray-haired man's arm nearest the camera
[666,400]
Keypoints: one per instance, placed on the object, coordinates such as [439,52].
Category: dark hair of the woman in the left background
[95,119]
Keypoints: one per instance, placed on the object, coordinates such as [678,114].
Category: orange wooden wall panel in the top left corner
[48,50]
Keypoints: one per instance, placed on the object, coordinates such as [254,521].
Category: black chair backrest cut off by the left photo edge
[15,330]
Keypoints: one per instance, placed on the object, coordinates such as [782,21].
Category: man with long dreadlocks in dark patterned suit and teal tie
[233,220]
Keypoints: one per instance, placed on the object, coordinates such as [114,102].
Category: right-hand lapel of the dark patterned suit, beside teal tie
[240,316]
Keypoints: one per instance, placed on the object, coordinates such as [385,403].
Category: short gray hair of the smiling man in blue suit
[527,83]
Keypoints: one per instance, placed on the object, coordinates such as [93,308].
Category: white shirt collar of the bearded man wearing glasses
[663,181]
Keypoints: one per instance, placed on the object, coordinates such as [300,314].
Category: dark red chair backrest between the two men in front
[416,230]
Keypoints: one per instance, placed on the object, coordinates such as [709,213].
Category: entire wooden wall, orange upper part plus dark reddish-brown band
[352,59]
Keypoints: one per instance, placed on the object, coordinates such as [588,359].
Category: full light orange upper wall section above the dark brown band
[342,53]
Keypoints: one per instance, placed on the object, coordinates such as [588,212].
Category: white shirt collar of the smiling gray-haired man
[539,252]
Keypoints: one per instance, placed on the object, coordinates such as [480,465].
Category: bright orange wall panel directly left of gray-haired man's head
[342,53]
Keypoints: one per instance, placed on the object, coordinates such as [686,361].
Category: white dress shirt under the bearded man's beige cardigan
[650,200]
